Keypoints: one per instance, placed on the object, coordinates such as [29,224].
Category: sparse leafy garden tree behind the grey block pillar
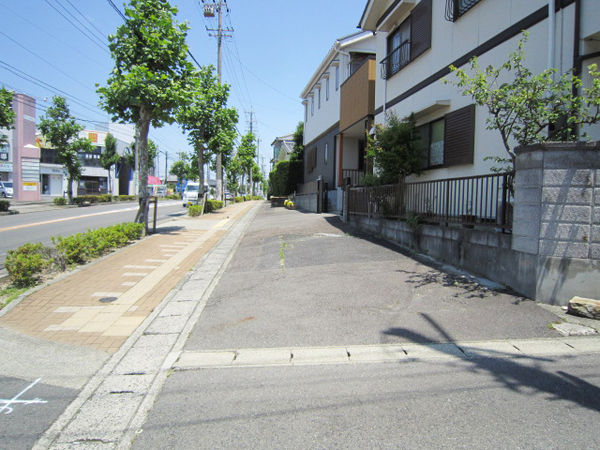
[527,108]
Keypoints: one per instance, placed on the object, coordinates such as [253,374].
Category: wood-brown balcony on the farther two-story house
[358,95]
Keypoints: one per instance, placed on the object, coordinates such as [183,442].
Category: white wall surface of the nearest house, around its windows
[452,40]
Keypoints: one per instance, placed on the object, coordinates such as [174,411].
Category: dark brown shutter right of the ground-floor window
[459,136]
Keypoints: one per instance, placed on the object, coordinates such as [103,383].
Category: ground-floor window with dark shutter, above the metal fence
[449,141]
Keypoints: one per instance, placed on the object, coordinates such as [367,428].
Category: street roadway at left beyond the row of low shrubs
[40,226]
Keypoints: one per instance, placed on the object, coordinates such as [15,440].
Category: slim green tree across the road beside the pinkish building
[61,130]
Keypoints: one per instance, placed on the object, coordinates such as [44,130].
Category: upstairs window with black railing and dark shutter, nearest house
[409,40]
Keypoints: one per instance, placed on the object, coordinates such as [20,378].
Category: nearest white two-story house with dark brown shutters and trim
[417,40]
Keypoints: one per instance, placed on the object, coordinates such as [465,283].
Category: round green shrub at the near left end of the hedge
[26,264]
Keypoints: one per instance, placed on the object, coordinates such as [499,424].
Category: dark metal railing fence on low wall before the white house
[483,201]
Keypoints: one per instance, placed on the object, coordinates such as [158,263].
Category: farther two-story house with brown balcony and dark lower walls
[338,108]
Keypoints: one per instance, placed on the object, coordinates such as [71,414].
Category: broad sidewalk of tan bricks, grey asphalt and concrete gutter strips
[272,287]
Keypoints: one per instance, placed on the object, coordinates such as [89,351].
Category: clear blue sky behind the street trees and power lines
[60,47]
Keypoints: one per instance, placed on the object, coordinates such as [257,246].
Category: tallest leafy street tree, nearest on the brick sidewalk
[152,78]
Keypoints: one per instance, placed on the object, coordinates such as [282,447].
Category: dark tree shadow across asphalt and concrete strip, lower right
[515,375]
